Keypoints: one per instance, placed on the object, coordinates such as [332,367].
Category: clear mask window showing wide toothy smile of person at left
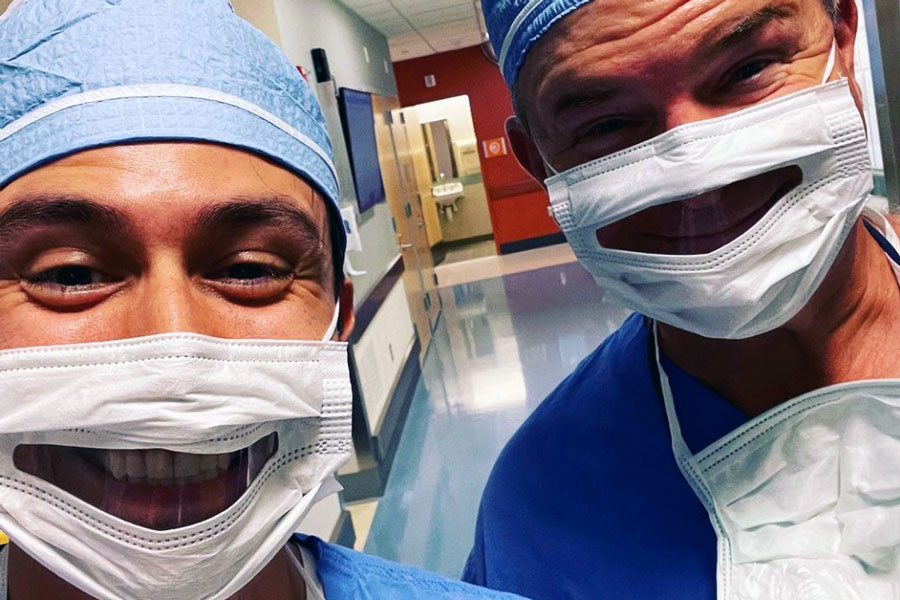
[155,488]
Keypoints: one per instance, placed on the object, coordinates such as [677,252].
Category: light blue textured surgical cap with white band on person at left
[78,74]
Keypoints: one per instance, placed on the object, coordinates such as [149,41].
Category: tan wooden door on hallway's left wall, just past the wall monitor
[418,273]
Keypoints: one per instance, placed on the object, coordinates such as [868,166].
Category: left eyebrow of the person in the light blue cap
[34,211]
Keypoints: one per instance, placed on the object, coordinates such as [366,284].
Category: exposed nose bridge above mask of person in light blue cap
[170,303]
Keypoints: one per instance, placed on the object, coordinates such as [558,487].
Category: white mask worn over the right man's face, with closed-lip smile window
[758,281]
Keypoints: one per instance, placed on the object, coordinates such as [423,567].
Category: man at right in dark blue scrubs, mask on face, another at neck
[739,437]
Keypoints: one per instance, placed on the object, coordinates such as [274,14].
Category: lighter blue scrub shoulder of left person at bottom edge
[349,575]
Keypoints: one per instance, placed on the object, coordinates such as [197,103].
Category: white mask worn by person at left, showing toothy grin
[289,402]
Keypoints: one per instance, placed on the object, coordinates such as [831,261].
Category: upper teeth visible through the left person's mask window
[162,467]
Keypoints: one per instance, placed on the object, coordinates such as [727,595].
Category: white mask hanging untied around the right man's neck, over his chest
[805,498]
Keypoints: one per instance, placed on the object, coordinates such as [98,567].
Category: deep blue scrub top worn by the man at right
[586,501]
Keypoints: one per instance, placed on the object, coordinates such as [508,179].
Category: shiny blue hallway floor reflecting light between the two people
[500,347]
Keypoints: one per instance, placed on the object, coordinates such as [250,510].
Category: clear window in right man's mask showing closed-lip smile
[704,223]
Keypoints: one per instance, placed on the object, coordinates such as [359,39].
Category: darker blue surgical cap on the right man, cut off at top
[516,25]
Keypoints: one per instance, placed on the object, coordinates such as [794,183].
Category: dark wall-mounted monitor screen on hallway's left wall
[359,130]
